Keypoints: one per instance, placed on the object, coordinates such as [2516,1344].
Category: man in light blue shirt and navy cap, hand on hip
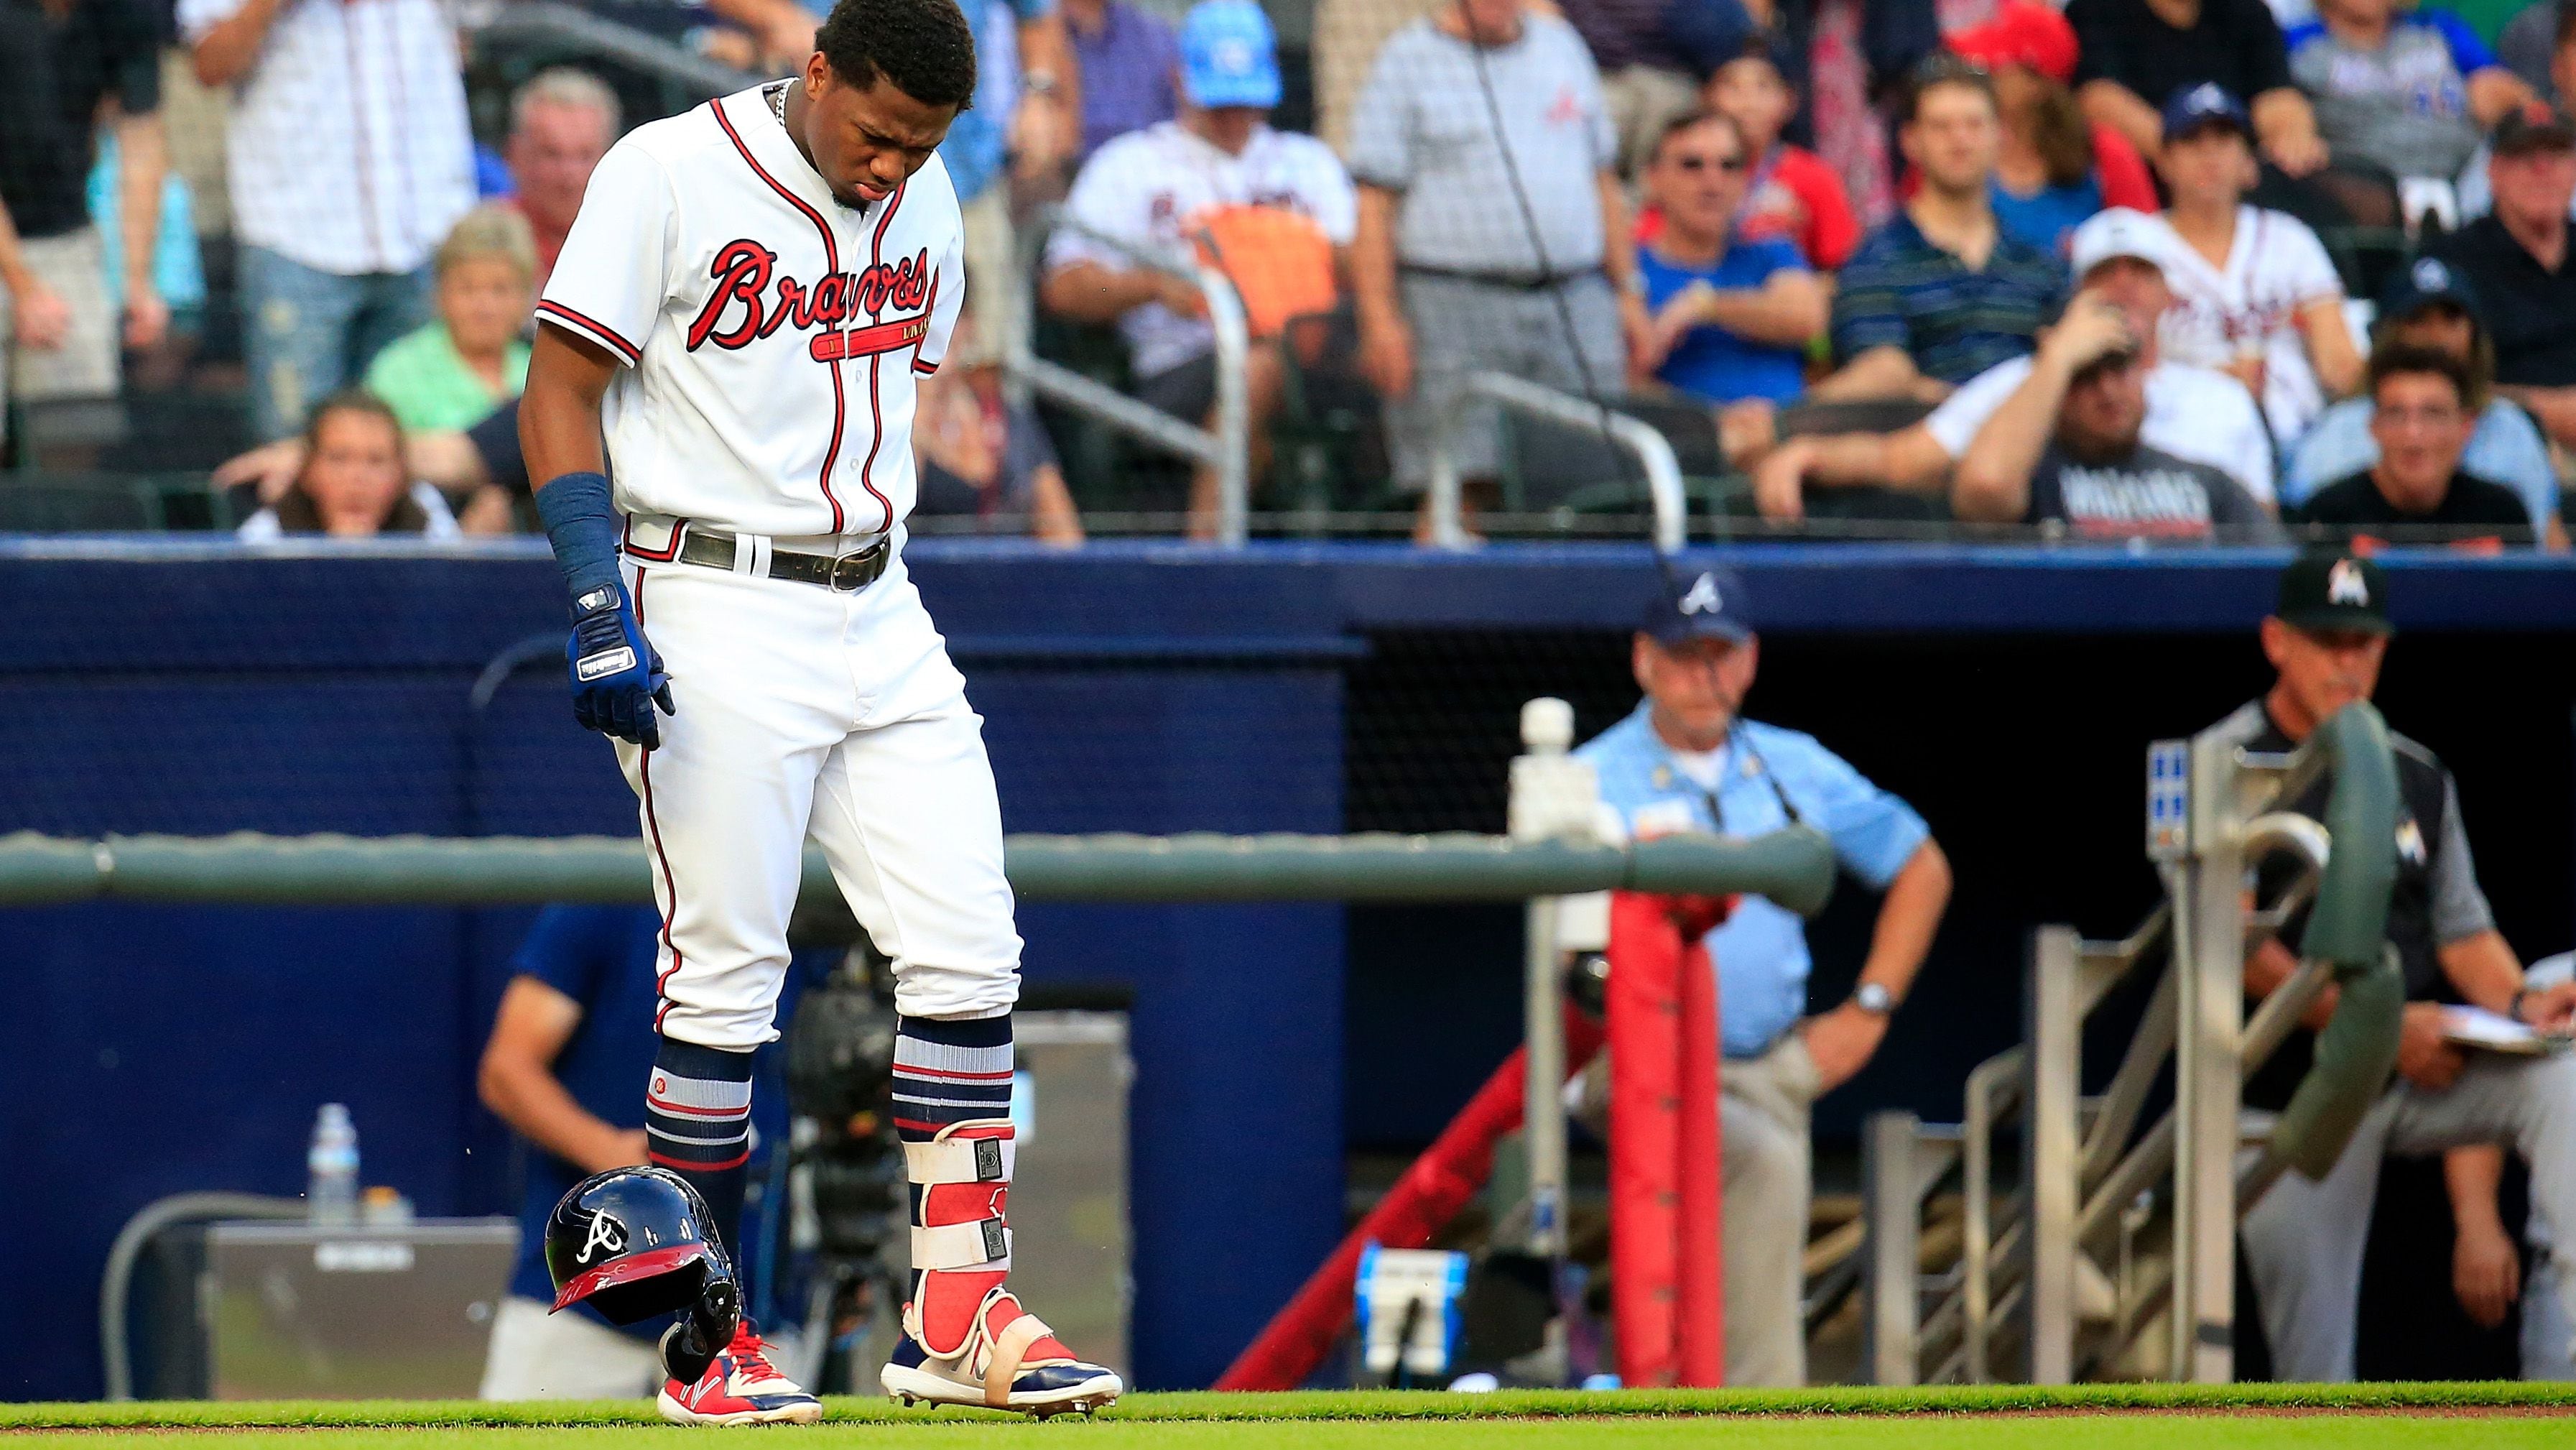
[1686,761]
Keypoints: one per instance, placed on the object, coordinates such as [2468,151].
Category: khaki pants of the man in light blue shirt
[1763,1109]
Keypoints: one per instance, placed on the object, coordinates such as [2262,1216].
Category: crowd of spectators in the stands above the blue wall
[2132,269]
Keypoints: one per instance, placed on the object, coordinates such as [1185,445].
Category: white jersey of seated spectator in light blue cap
[1150,189]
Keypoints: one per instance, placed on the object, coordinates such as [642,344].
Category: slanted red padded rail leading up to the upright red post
[1423,1201]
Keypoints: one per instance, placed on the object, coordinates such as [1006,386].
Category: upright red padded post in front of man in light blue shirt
[1665,1186]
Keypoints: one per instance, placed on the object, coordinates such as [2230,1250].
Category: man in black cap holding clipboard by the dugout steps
[2304,1240]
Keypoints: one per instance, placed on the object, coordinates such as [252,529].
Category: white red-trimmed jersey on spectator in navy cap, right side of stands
[2276,269]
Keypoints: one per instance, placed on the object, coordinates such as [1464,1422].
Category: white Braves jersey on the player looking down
[772,336]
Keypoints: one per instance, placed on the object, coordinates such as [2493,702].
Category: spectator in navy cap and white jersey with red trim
[2255,292]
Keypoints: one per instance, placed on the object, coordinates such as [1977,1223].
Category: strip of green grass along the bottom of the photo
[1987,1418]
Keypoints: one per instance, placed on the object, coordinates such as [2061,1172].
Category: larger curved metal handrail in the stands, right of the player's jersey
[1227,447]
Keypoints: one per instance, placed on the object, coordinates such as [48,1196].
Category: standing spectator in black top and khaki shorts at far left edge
[63,71]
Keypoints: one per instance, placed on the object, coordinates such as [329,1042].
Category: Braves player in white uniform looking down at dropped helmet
[743,308]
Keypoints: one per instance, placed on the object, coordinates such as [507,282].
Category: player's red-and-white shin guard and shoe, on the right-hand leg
[967,1338]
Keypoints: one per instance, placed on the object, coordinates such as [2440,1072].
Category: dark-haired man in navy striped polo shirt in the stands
[1944,292]
